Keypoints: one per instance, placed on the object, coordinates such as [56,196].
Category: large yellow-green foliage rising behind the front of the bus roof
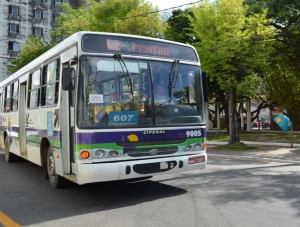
[117,16]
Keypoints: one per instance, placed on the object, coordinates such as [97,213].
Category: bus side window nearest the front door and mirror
[50,83]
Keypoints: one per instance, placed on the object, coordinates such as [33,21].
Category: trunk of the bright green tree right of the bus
[233,123]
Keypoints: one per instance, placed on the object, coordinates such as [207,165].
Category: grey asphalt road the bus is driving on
[228,193]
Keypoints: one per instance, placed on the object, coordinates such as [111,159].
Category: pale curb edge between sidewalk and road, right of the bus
[251,158]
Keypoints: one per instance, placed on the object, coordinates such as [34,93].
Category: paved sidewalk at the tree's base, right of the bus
[264,152]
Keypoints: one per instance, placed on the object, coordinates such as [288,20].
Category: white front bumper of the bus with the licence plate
[100,172]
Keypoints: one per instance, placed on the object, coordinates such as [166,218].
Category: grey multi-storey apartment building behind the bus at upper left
[22,18]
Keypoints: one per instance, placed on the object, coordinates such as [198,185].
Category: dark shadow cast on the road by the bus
[28,180]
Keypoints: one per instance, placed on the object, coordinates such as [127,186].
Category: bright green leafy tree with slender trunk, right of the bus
[232,46]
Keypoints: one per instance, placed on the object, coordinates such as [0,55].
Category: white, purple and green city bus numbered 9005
[83,109]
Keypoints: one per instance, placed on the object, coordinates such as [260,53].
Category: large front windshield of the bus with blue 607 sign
[114,92]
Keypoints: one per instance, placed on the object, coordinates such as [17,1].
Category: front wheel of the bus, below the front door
[55,180]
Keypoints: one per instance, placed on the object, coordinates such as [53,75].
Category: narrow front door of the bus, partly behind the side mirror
[67,115]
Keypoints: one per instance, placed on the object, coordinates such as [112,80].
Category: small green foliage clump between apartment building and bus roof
[33,48]
